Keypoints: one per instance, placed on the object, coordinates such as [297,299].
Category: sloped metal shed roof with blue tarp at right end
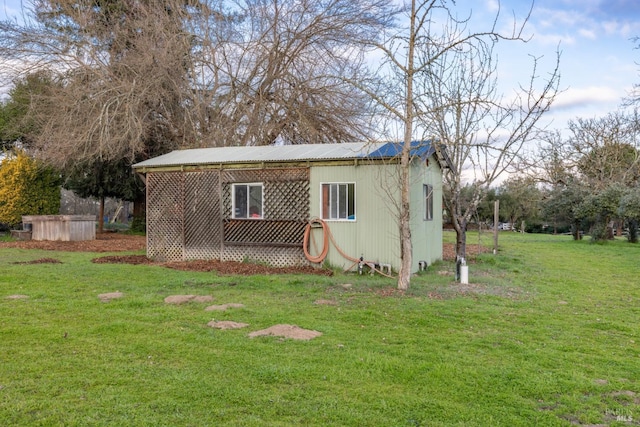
[284,153]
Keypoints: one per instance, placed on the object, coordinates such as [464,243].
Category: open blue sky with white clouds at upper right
[599,62]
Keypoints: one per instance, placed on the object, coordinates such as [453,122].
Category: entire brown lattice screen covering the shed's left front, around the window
[189,216]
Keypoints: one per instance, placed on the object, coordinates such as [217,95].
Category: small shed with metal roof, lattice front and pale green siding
[256,203]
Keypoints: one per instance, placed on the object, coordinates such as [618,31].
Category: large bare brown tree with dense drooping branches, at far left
[120,70]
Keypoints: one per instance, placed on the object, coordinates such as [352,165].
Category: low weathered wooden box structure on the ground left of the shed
[61,227]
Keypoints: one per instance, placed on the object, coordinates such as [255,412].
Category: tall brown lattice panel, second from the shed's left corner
[202,215]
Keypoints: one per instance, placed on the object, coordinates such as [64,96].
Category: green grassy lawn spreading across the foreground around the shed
[547,334]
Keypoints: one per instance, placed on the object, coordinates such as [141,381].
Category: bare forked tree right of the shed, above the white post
[482,132]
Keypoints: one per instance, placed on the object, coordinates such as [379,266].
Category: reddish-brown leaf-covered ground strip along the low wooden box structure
[104,242]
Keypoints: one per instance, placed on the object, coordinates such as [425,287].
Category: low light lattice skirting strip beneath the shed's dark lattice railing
[275,256]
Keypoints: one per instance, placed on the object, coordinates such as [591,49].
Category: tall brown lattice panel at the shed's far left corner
[165,216]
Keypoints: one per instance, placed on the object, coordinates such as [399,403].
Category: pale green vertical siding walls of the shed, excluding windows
[374,233]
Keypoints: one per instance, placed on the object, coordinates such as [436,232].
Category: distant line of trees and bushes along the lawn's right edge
[585,181]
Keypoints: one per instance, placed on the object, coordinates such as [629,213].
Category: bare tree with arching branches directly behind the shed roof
[276,72]
